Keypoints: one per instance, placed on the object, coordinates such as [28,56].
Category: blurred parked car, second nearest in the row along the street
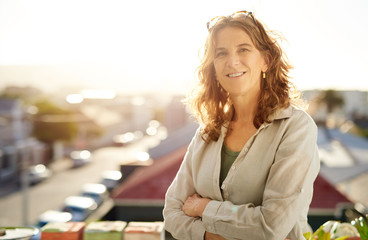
[80,207]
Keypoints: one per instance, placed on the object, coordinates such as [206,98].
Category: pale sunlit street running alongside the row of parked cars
[66,182]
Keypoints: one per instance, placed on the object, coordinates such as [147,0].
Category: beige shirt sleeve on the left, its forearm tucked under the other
[176,221]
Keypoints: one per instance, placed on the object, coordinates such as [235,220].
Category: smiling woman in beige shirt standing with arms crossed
[249,170]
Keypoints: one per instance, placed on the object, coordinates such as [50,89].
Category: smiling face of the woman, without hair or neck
[238,64]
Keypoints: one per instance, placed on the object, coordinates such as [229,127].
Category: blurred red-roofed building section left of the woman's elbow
[141,196]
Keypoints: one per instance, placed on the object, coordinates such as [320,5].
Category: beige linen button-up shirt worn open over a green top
[267,192]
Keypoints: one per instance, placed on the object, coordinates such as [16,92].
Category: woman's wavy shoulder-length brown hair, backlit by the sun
[211,104]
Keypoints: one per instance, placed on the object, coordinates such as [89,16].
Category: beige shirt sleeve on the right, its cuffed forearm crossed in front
[288,191]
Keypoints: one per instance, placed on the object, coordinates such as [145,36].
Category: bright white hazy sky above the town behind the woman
[153,45]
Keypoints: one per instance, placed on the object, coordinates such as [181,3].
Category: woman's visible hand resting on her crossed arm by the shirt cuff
[195,205]
